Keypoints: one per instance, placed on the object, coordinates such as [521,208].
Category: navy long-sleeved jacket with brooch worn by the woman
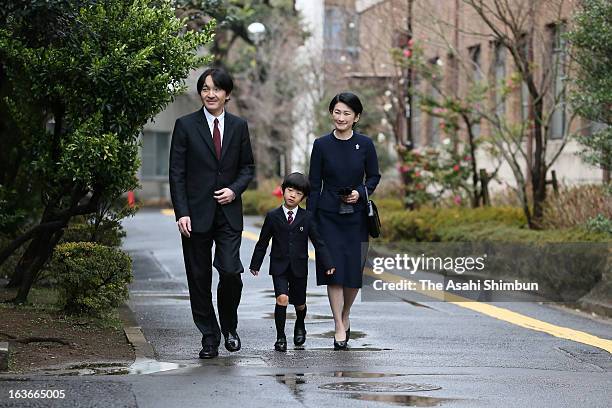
[335,164]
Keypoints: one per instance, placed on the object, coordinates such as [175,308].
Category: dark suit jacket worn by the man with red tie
[195,172]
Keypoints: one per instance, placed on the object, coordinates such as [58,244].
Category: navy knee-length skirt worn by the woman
[346,237]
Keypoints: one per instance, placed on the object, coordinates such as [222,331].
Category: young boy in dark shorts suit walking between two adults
[290,226]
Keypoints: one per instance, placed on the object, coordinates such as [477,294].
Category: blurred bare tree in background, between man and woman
[267,74]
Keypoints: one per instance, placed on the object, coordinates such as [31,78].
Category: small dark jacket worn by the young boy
[290,243]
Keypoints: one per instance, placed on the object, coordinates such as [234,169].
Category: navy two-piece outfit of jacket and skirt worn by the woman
[335,164]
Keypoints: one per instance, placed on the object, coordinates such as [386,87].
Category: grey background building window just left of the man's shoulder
[155,151]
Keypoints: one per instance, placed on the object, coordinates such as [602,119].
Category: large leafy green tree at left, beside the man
[76,92]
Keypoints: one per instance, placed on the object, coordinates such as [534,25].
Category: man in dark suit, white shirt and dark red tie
[211,164]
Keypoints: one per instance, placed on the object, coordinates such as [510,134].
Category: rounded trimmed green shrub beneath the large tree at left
[92,279]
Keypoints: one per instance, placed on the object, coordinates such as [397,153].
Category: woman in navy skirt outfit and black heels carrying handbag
[343,164]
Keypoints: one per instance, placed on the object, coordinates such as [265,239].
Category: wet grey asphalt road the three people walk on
[401,354]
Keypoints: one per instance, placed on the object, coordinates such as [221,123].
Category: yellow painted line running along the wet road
[485,308]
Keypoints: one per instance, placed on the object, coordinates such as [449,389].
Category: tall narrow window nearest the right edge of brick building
[557,61]
